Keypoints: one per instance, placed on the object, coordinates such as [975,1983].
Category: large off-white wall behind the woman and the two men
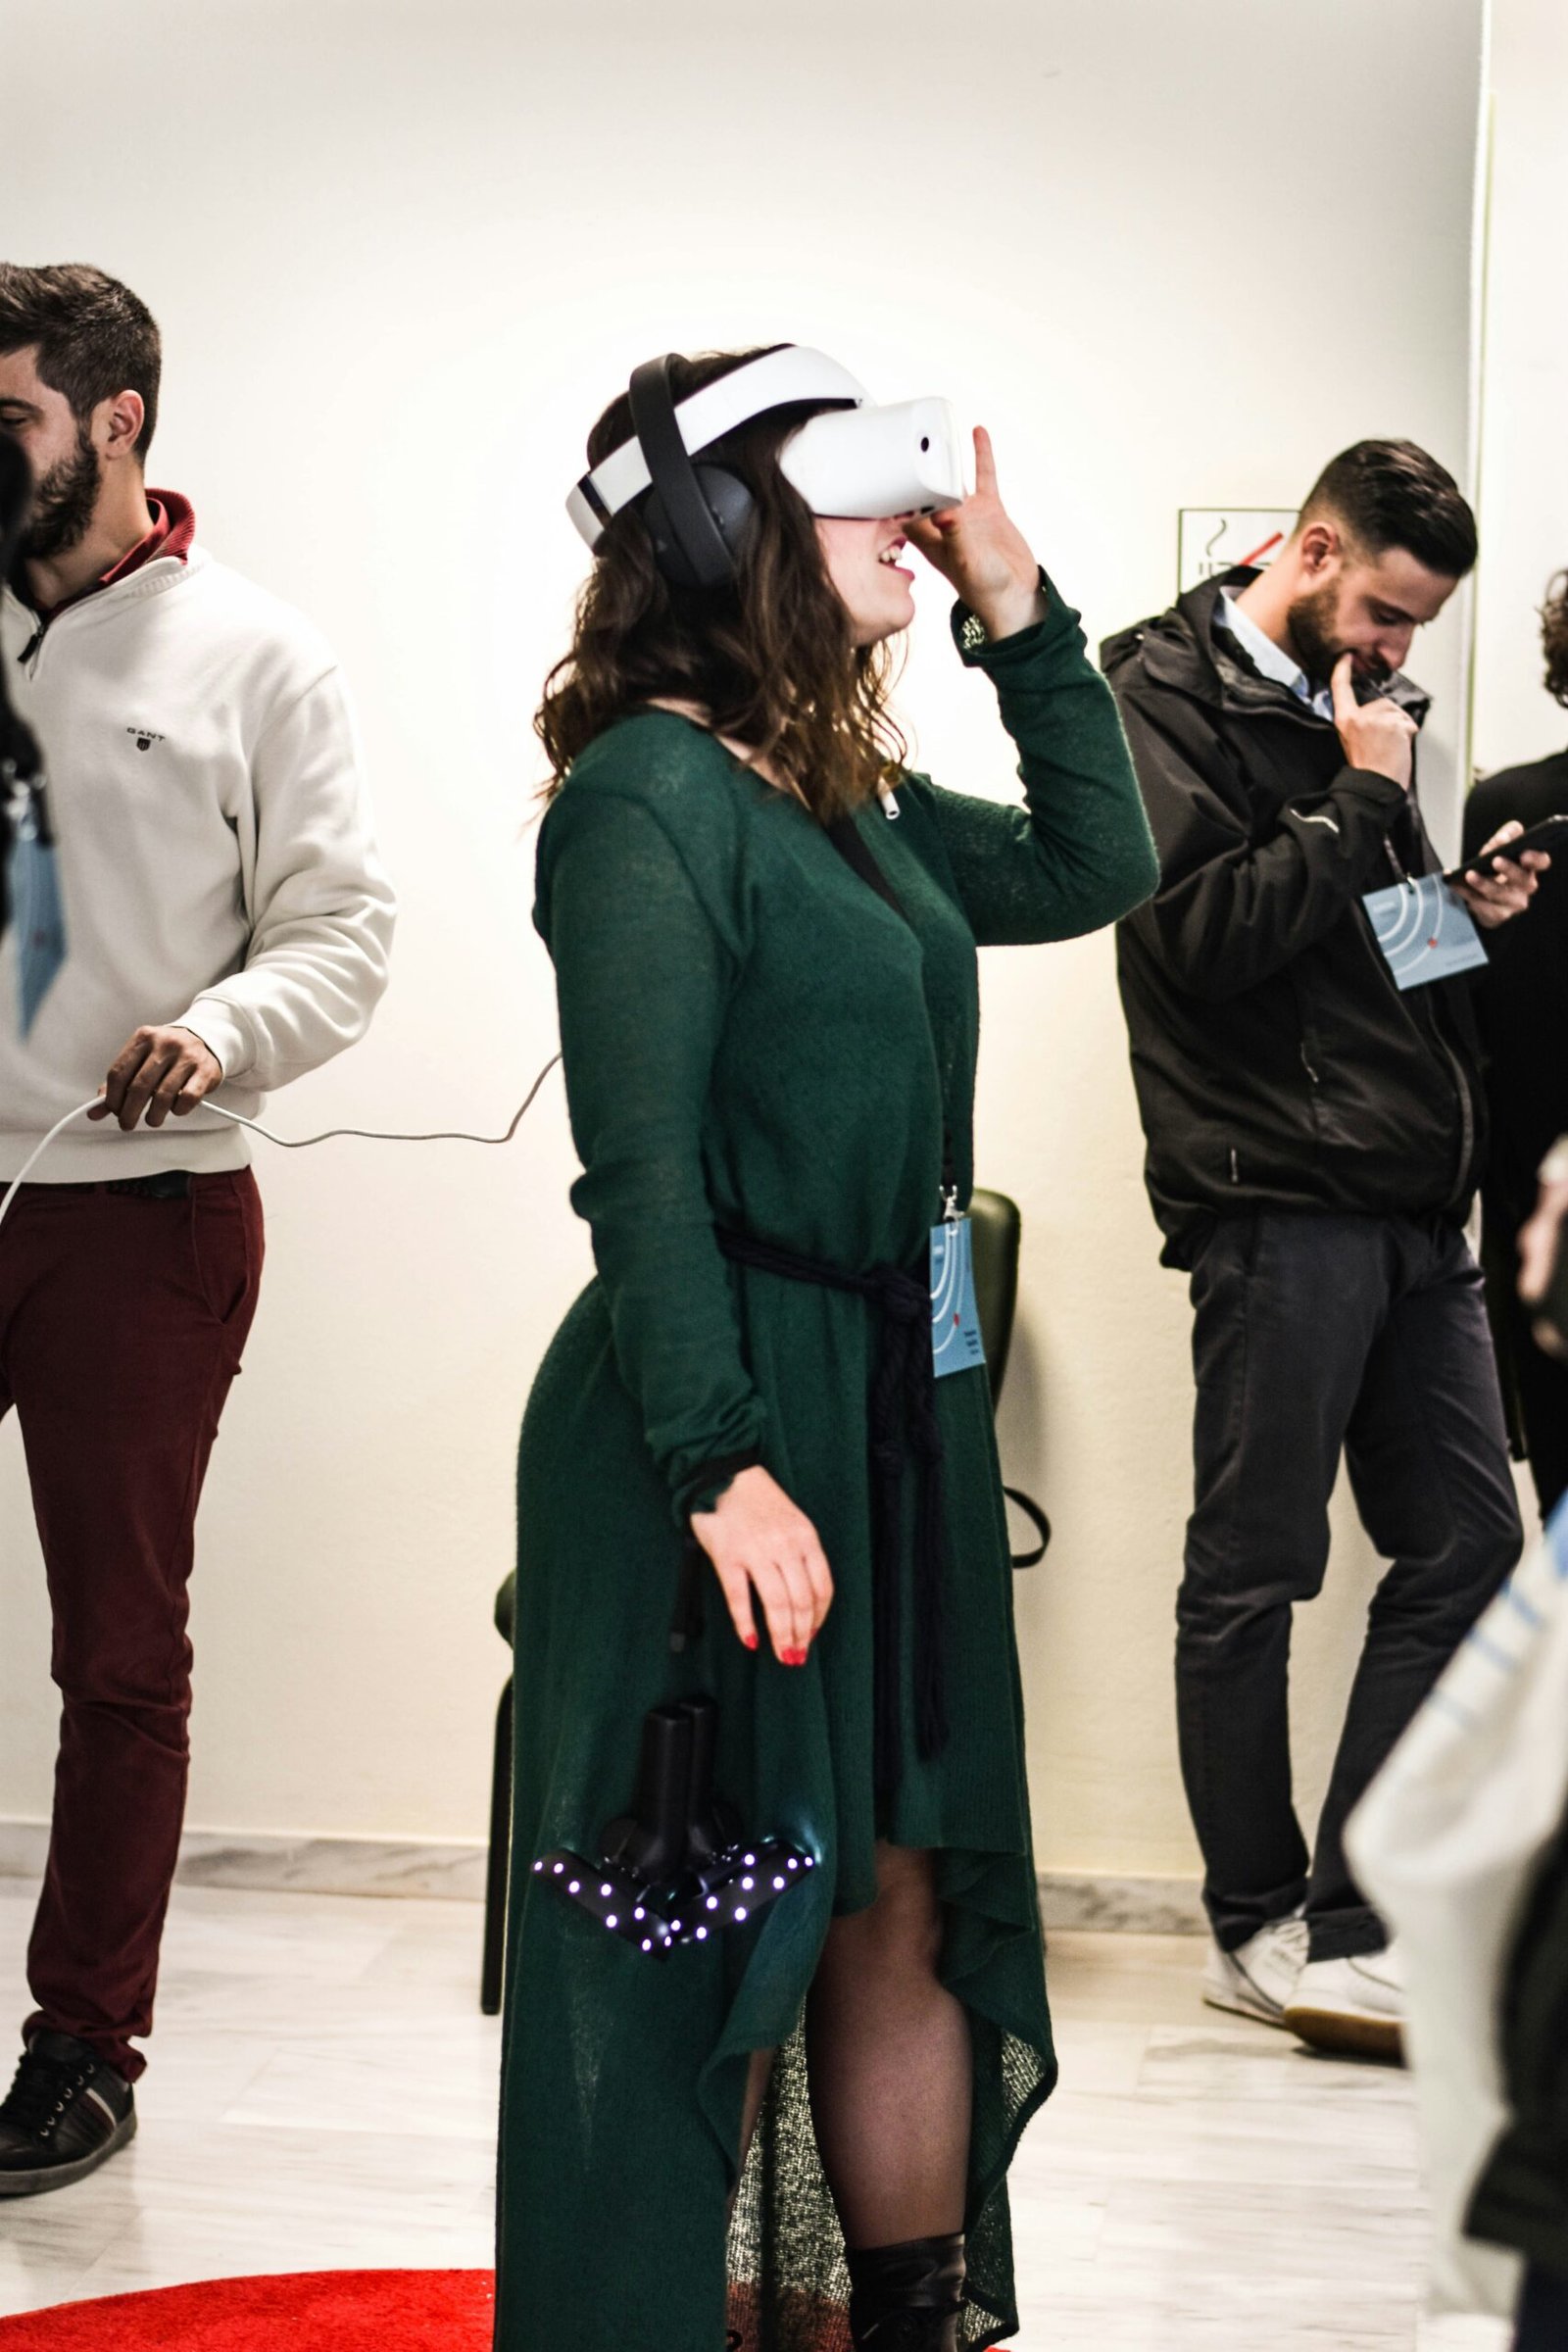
[1170,250]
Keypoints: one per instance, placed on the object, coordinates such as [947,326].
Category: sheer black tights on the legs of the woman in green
[890,2064]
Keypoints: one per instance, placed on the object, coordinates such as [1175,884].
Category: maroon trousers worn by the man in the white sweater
[121,1330]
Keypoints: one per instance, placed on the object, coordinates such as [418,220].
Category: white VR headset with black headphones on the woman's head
[852,460]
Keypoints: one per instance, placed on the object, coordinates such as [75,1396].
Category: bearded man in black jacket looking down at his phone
[1315,1132]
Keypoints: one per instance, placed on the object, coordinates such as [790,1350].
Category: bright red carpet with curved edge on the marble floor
[316,2311]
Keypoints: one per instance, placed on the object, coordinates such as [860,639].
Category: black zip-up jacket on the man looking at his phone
[1273,1055]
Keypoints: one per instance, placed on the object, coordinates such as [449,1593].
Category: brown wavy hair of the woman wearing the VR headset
[770,660]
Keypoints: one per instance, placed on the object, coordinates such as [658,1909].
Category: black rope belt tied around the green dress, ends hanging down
[902,1424]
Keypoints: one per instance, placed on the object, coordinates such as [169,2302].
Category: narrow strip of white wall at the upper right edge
[1525,403]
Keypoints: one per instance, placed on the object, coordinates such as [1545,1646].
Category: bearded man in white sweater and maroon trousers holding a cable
[227,928]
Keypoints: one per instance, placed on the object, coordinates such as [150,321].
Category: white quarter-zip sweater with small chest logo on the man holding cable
[215,855]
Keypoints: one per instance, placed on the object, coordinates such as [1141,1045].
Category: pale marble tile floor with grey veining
[323,2097]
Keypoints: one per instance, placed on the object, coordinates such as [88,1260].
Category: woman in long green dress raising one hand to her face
[765,942]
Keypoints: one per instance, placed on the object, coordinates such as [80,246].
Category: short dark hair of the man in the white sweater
[93,335]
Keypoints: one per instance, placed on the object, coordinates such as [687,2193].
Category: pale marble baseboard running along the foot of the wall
[413,1866]
